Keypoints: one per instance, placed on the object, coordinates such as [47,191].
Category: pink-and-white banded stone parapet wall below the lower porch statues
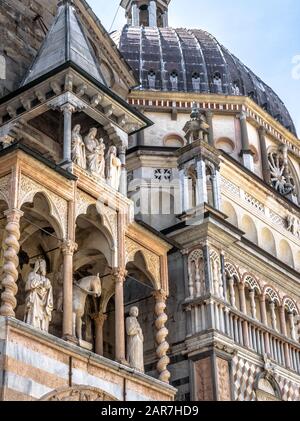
[34,364]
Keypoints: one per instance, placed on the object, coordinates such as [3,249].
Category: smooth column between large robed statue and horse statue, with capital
[68,249]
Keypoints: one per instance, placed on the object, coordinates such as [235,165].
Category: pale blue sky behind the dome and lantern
[264,34]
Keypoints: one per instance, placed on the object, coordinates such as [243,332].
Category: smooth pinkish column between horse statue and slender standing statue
[119,276]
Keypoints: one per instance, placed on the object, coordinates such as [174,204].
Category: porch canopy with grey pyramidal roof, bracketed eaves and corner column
[68,76]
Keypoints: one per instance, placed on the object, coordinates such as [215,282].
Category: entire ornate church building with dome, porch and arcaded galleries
[149,213]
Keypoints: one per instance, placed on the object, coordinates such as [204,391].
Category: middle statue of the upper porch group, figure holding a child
[95,153]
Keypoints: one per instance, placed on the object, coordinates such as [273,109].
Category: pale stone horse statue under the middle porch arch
[90,285]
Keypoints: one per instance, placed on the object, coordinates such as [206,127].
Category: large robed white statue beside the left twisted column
[39,298]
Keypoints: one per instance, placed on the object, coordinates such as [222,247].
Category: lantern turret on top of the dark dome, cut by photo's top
[148,13]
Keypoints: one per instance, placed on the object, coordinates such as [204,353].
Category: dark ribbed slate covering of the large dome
[187,52]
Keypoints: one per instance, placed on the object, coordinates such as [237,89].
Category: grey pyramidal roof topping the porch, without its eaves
[65,42]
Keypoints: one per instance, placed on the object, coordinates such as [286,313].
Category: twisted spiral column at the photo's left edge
[11,263]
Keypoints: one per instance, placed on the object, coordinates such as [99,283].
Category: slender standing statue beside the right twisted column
[135,341]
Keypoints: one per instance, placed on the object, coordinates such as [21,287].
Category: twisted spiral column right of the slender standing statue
[161,334]
